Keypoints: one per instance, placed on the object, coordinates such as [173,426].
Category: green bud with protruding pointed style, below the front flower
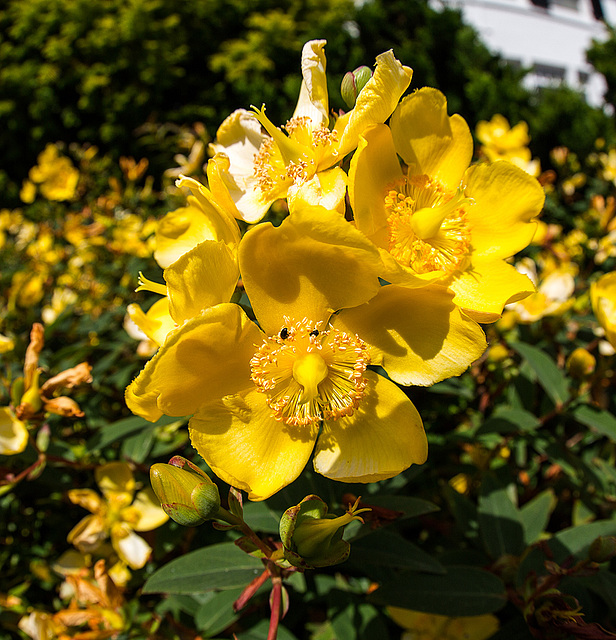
[313,538]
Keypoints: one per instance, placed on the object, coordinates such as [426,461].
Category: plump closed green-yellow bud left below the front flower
[187,494]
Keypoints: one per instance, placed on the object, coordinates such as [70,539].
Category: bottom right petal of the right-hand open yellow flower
[487,286]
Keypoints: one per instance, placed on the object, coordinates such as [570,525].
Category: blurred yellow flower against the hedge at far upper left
[55,175]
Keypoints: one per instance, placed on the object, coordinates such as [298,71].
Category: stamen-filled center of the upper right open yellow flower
[427,226]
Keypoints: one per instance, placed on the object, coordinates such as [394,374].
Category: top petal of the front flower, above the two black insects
[314,263]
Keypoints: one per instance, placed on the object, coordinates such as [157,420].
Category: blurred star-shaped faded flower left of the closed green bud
[117,515]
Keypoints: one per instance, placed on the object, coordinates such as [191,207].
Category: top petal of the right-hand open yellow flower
[430,141]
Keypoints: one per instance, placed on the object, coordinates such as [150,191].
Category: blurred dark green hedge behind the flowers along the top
[106,72]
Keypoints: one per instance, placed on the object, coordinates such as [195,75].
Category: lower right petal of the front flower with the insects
[382,438]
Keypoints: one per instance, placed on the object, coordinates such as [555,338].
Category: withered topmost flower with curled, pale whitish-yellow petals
[257,168]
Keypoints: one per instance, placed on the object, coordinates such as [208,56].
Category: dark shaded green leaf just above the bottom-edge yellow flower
[462,591]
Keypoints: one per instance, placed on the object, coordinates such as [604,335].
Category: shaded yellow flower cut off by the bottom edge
[429,626]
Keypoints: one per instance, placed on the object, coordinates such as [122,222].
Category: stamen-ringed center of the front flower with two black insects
[310,375]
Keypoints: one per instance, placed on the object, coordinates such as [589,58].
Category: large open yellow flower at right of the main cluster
[442,221]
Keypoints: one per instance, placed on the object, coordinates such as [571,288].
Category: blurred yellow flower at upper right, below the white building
[502,142]
